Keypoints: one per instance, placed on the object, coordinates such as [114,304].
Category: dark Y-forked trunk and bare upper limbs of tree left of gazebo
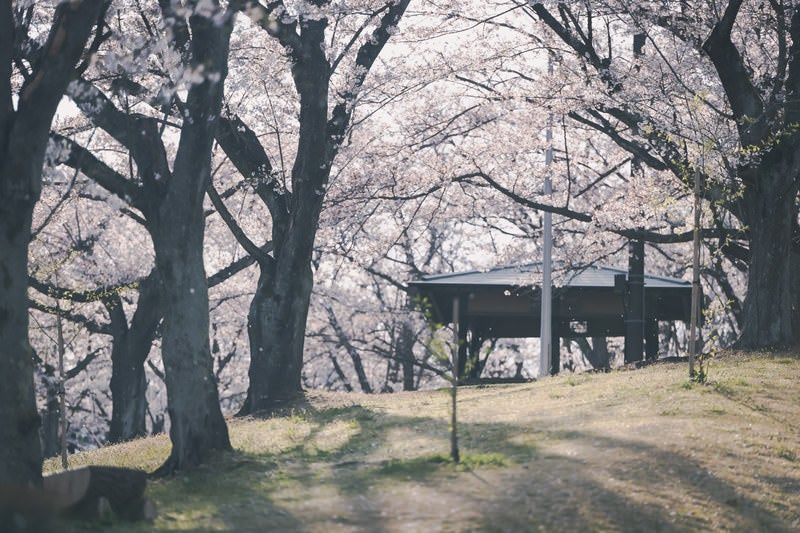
[278,314]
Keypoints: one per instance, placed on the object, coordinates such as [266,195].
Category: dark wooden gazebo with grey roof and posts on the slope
[593,301]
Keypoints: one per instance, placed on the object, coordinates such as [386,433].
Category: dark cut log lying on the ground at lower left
[90,491]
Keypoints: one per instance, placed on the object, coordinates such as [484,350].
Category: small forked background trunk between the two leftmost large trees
[131,346]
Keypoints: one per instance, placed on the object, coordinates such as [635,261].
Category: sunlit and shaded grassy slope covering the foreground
[641,450]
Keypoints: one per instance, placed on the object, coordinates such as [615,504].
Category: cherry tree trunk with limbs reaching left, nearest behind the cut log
[171,199]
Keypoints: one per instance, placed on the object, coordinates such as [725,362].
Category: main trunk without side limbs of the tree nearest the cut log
[196,424]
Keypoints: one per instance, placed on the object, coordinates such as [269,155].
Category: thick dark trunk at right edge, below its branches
[768,307]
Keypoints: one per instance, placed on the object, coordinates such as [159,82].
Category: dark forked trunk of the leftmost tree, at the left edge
[23,140]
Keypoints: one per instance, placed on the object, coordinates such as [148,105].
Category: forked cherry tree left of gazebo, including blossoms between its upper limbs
[277,318]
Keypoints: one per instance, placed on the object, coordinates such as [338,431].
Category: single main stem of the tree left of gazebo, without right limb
[277,319]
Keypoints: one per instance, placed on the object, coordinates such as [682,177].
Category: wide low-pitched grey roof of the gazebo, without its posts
[506,301]
